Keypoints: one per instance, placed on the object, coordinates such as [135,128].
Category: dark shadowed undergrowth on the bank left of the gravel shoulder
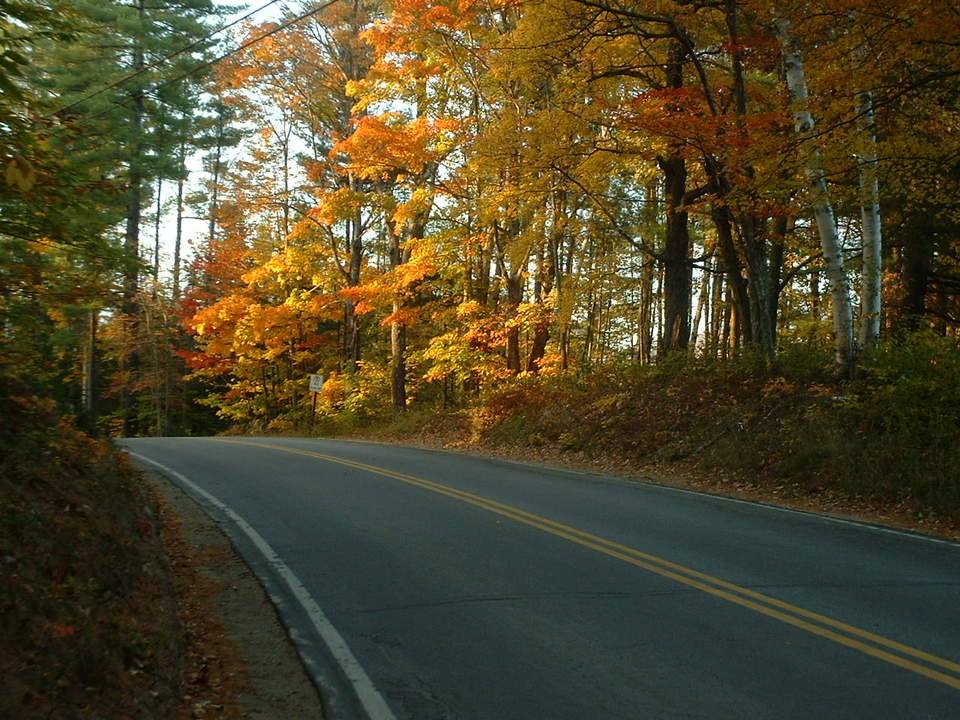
[84,631]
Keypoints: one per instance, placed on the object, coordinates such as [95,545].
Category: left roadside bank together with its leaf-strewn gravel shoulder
[119,597]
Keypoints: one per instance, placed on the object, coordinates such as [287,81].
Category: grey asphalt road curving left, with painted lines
[423,584]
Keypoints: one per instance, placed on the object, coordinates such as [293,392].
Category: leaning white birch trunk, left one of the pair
[822,207]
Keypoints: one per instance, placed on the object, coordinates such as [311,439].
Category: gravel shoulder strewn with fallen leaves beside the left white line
[240,663]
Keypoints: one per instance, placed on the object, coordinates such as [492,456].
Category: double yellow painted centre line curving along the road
[771,607]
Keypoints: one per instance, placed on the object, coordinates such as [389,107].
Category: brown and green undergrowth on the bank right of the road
[891,436]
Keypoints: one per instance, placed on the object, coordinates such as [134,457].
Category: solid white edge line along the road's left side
[371,699]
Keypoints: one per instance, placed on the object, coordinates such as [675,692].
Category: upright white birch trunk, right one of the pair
[870,285]
